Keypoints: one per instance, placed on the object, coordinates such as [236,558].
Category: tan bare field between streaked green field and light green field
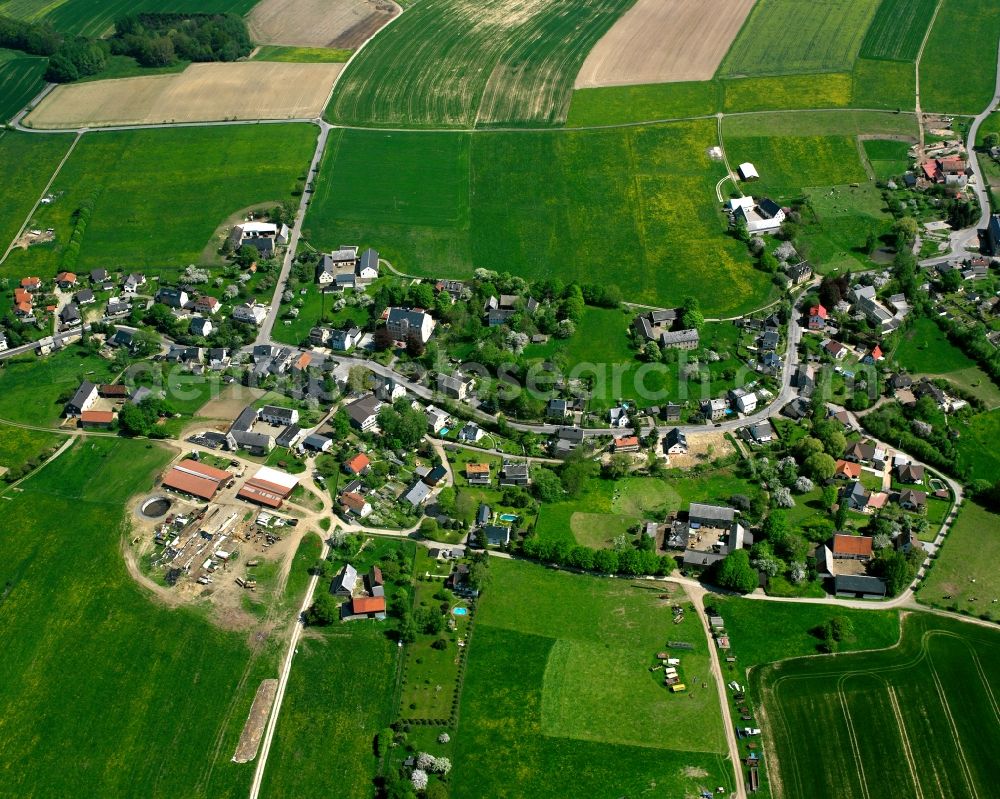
[662,41]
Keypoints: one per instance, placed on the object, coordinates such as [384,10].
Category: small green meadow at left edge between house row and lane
[30,387]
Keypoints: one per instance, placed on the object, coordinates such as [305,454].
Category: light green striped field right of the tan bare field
[788,36]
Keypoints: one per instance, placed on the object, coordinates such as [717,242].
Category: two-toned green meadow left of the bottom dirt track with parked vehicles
[558,682]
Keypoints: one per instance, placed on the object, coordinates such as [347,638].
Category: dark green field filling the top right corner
[958,73]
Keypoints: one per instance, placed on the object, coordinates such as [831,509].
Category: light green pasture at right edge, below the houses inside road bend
[964,576]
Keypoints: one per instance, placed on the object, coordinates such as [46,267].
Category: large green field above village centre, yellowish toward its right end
[636,205]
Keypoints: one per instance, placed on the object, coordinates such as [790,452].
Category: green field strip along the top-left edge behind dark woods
[97,17]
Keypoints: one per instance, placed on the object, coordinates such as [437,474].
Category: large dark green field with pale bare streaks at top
[459,63]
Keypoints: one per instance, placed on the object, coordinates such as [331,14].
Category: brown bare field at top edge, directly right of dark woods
[320,23]
